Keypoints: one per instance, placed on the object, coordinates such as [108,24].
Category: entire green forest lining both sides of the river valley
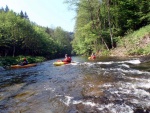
[99,26]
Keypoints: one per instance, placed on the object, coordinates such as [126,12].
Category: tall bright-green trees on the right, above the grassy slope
[100,24]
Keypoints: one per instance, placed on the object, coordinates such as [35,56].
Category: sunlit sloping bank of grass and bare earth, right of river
[134,43]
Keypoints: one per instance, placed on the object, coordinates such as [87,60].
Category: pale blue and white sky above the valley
[48,13]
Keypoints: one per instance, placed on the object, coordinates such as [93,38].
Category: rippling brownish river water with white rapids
[105,85]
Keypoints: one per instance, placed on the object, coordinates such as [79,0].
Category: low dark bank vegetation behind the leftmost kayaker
[7,61]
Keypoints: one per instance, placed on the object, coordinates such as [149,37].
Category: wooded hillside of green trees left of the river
[20,36]
